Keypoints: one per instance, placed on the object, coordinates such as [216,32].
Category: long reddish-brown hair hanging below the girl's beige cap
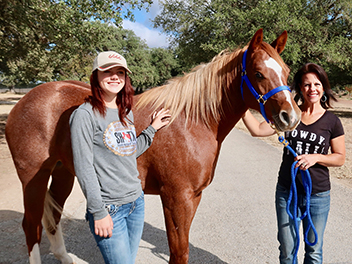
[124,99]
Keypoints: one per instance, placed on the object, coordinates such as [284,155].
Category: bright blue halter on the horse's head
[260,98]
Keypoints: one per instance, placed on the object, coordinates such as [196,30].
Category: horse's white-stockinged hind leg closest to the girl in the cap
[60,189]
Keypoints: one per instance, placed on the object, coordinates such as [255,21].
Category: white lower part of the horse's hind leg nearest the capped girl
[57,246]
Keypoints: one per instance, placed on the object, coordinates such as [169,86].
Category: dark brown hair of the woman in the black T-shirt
[323,77]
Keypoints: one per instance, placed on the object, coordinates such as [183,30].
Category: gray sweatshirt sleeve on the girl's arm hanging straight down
[82,126]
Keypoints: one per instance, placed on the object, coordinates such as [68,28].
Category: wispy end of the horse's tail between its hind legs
[50,205]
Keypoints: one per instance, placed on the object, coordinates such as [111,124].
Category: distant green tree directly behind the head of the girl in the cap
[150,67]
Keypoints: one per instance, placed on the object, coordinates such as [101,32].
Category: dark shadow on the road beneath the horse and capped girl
[80,242]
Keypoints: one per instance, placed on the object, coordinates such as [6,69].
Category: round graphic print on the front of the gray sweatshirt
[120,140]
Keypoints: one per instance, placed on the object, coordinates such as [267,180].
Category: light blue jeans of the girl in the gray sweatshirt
[122,246]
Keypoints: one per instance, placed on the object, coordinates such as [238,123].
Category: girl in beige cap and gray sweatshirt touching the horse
[105,148]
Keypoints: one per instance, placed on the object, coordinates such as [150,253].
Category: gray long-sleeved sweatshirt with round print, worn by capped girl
[104,156]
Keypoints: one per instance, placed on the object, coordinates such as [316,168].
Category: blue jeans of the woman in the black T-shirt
[319,209]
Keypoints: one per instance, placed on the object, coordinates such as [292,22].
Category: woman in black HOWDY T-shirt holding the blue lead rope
[318,131]
